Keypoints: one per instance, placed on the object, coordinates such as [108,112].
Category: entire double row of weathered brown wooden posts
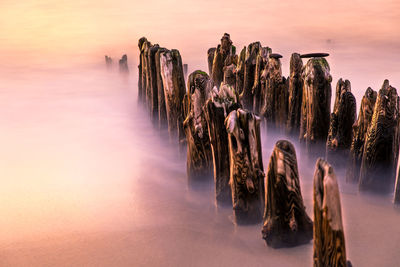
[218,118]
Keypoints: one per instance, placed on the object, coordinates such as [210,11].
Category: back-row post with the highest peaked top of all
[222,58]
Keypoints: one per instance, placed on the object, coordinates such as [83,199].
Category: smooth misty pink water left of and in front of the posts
[88,181]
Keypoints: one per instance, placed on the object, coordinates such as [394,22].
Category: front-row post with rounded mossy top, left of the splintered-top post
[199,159]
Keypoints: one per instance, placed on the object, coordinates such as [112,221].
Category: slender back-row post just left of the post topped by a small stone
[258,94]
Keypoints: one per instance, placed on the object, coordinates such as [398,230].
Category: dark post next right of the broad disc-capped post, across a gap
[341,124]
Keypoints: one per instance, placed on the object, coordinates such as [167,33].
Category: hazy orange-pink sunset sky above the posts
[363,37]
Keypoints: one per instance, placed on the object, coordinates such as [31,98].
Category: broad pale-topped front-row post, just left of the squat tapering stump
[246,167]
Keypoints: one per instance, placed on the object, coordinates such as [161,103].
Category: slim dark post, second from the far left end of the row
[152,85]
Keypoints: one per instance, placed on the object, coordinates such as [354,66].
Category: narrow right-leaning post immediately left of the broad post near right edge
[360,129]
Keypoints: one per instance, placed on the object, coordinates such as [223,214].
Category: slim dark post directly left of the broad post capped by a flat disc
[295,95]
